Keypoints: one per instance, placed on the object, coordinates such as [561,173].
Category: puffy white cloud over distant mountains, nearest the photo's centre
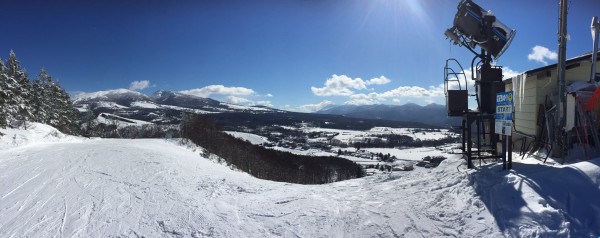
[339,85]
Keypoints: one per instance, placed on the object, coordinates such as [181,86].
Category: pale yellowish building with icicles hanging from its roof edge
[535,93]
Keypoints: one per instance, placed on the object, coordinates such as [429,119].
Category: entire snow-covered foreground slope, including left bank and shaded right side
[53,185]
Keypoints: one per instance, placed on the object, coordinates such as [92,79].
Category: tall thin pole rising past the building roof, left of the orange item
[561,97]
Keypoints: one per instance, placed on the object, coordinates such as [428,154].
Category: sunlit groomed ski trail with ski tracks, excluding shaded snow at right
[154,188]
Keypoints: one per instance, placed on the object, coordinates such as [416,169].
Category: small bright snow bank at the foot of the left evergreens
[35,133]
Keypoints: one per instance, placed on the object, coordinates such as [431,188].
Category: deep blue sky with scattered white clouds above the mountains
[289,54]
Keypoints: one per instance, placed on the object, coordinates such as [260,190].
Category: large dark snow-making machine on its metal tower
[476,27]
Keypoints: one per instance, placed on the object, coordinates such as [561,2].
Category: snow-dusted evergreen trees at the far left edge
[41,100]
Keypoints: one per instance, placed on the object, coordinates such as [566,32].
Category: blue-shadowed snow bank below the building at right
[542,200]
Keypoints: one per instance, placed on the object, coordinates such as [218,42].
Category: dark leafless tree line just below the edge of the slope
[265,163]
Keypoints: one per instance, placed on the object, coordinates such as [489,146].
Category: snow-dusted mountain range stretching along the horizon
[165,107]
